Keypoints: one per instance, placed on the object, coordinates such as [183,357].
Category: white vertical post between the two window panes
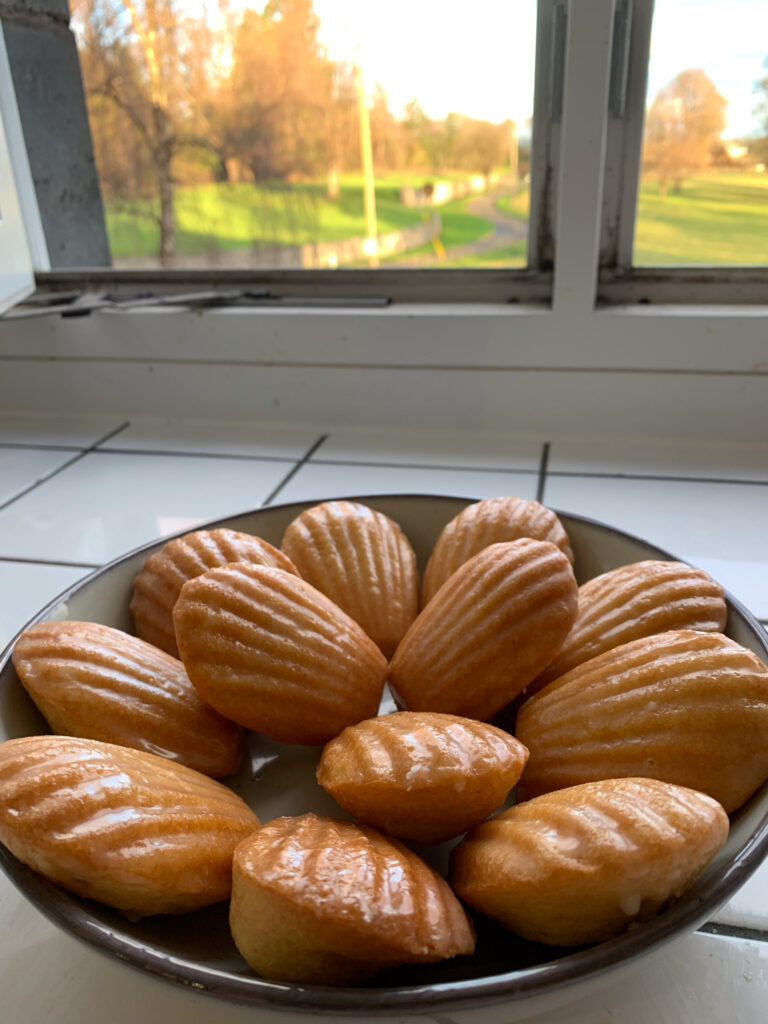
[583,141]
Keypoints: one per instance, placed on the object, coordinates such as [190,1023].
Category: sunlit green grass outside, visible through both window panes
[717,219]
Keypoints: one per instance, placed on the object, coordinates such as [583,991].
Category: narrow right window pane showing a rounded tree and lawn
[704,189]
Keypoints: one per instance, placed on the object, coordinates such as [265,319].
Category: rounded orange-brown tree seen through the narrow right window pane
[684,123]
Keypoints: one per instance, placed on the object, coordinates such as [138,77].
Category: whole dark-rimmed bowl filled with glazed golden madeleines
[388,756]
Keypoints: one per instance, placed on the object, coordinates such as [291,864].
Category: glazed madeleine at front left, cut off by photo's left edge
[122,827]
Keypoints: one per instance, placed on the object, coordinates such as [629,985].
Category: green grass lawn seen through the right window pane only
[718,218]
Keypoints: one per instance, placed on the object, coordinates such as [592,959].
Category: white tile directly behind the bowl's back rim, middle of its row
[319,481]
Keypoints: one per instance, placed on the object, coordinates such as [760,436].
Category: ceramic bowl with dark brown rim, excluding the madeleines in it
[507,979]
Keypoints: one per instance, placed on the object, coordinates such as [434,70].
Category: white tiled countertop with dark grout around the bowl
[76,493]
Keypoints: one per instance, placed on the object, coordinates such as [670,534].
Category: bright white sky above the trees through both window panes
[477,57]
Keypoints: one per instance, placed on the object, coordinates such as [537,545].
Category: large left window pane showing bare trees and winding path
[304,134]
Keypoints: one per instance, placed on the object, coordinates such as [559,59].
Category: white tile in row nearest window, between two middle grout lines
[465,450]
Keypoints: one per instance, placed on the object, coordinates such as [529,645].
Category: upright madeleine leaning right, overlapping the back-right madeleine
[491,629]
